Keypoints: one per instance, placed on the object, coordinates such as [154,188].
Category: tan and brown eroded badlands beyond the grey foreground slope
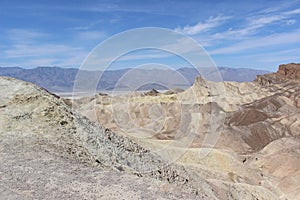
[251,118]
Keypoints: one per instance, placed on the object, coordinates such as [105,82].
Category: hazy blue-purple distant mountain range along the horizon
[56,79]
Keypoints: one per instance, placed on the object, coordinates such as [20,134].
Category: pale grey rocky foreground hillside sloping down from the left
[49,151]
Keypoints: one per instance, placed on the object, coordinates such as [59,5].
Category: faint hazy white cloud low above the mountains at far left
[27,47]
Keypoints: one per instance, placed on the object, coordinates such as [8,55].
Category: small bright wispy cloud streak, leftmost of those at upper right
[200,27]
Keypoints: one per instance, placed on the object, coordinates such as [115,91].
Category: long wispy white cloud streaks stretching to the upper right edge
[249,27]
